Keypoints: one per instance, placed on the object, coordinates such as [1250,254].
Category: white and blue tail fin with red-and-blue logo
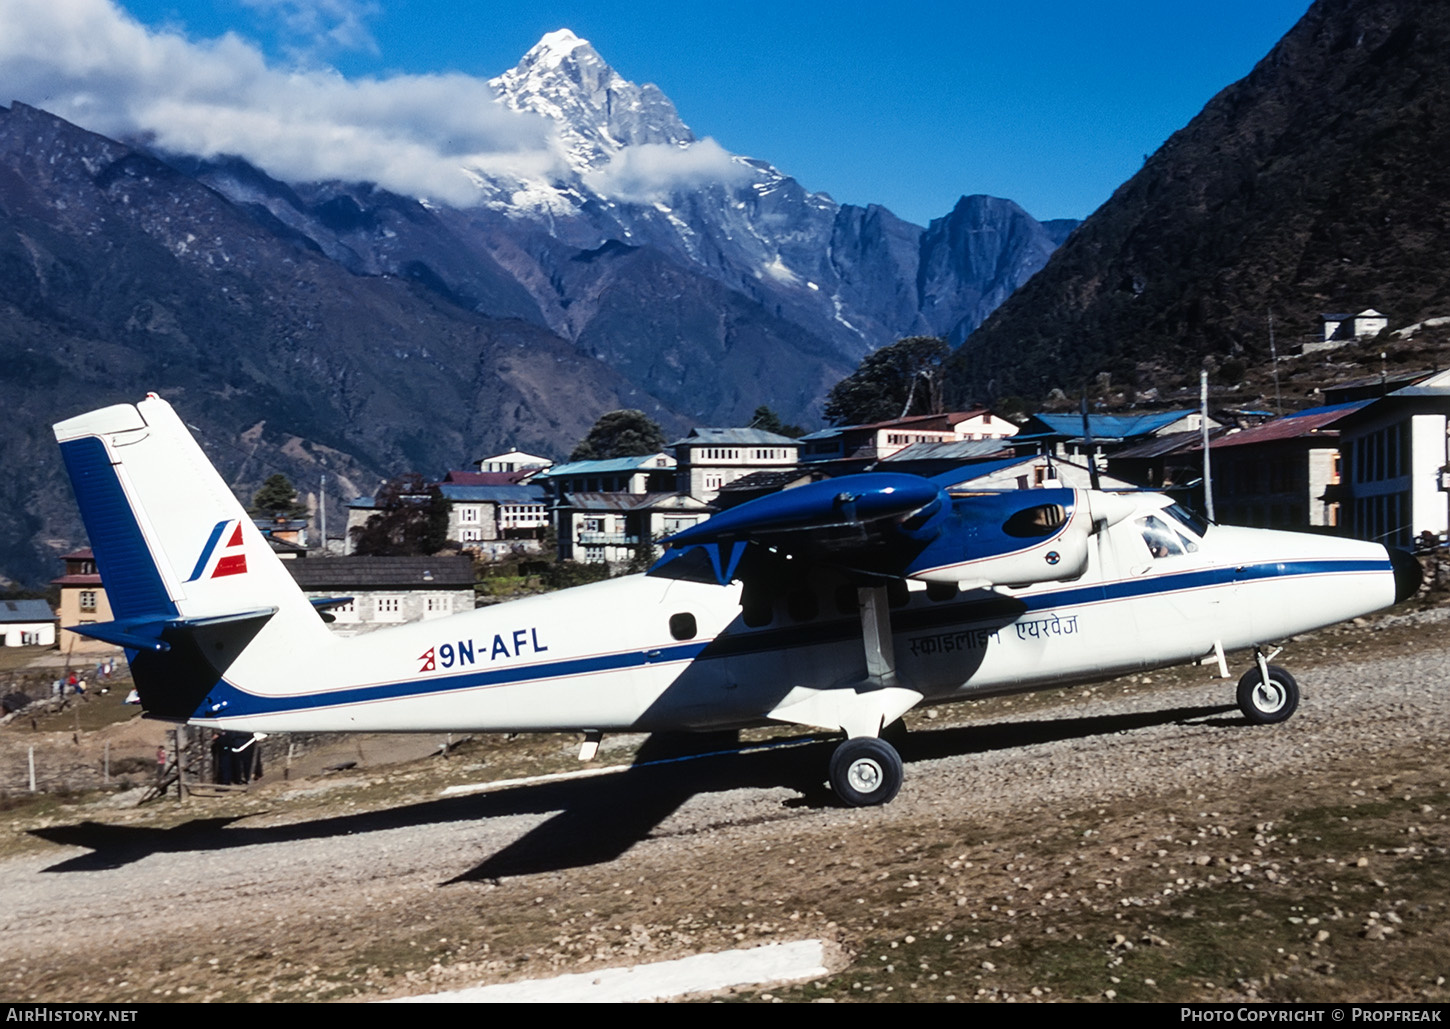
[191,580]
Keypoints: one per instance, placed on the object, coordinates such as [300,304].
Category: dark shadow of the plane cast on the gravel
[601,818]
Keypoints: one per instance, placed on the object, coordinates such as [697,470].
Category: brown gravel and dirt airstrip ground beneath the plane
[1129,841]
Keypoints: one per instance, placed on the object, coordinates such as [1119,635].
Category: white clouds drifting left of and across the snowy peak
[94,64]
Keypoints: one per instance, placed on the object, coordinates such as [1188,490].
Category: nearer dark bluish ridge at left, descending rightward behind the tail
[120,276]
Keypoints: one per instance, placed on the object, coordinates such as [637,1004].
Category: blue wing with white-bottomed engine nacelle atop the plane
[888,525]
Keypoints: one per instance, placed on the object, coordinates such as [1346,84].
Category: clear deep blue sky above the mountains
[907,105]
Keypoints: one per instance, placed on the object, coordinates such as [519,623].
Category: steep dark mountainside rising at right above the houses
[1316,185]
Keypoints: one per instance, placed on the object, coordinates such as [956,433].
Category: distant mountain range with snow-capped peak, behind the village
[340,327]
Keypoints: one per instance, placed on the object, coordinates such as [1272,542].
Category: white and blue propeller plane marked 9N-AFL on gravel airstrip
[839,607]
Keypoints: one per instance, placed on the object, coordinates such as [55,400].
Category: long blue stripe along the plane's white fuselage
[736,644]
